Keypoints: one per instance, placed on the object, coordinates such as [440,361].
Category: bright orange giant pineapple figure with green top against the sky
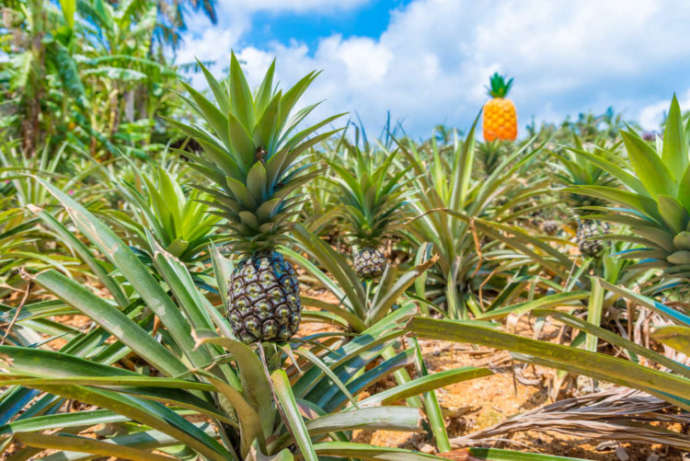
[500,117]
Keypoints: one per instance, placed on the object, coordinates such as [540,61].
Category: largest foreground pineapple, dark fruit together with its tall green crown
[253,159]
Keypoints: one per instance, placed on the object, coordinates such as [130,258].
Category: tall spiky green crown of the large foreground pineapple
[253,151]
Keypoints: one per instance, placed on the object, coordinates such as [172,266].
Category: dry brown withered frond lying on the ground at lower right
[614,414]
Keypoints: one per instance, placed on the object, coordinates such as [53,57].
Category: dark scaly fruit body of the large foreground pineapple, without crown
[263,299]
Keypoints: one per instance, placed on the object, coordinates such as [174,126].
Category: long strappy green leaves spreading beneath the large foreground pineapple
[244,399]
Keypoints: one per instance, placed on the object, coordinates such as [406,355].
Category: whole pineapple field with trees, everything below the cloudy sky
[216,271]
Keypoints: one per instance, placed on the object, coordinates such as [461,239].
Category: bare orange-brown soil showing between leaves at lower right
[477,404]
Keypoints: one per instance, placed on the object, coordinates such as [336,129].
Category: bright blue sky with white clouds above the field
[428,61]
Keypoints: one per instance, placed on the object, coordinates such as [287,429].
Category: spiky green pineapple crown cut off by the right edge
[654,201]
